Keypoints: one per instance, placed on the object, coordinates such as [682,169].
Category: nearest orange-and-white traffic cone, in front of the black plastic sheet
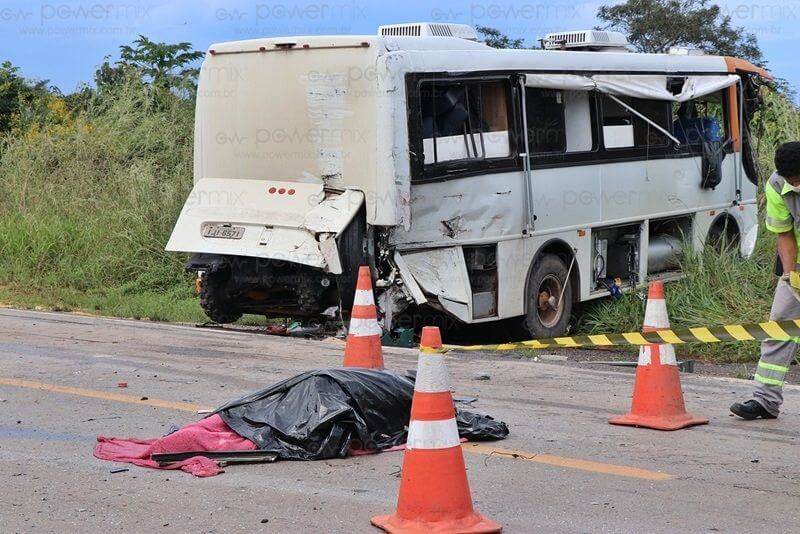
[434,492]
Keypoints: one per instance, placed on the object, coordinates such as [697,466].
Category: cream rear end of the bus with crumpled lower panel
[285,176]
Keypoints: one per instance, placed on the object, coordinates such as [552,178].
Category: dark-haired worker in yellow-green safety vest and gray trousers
[783,218]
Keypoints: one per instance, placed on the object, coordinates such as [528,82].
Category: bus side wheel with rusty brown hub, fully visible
[549,298]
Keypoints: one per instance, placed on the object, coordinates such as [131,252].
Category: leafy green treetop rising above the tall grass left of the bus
[161,65]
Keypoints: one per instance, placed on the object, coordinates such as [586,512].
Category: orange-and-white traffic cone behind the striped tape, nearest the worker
[657,395]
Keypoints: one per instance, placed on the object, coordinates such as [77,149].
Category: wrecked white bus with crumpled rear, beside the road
[483,184]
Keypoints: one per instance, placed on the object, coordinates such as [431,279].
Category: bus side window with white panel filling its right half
[559,121]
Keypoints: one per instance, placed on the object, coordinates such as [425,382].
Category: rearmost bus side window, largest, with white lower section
[464,121]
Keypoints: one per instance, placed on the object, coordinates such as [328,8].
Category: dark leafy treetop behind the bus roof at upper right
[656,25]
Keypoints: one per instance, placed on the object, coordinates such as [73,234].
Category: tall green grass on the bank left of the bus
[90,205]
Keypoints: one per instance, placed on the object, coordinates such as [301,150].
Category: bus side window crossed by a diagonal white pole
[623,129]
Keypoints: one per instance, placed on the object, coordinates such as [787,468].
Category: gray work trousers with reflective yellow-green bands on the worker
[776,356]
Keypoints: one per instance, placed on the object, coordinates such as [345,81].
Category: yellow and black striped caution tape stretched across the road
[778,330]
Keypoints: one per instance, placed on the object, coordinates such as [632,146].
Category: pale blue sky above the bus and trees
[65,41]
